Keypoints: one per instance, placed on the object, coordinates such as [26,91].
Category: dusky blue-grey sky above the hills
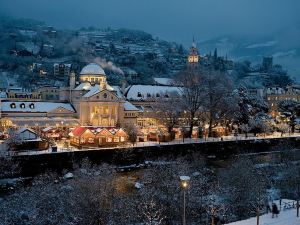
[176,20]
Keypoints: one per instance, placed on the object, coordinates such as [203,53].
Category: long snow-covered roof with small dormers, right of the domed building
[142,92]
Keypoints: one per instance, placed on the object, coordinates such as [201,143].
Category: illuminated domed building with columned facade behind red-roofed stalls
[96,102]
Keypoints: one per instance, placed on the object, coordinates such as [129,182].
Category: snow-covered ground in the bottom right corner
[287,216]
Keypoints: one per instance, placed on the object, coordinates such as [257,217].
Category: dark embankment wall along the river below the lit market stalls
[218,150]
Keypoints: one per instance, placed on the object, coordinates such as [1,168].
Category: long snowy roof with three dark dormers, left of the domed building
[16,106]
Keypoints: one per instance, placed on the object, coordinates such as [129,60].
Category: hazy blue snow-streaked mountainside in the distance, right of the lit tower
[282,45]
